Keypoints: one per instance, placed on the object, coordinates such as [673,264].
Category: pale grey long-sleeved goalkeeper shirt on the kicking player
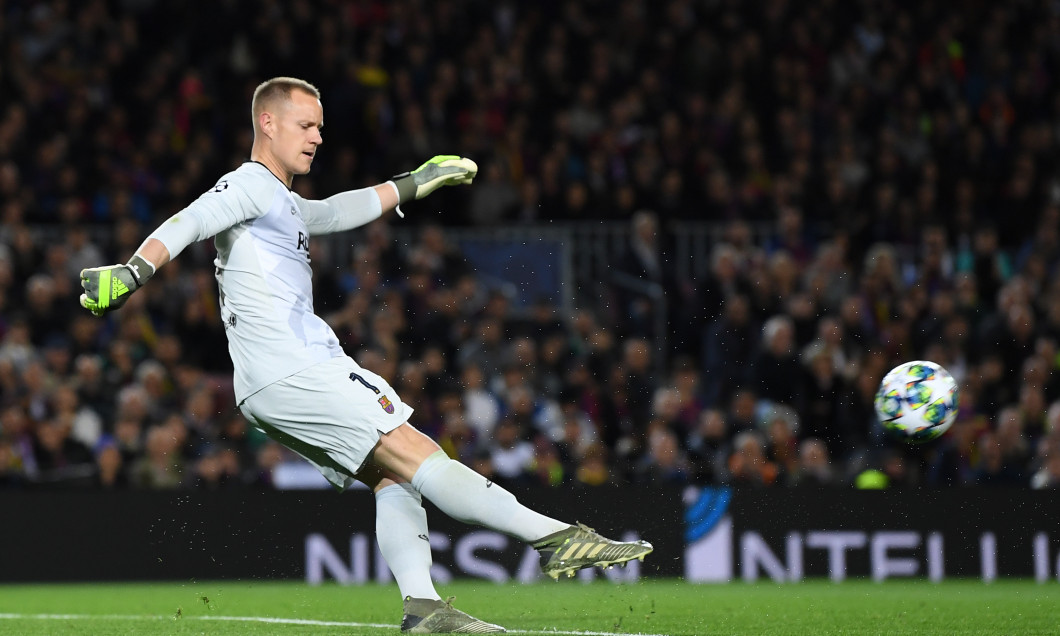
[262,234]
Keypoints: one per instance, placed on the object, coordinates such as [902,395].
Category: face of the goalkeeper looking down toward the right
[295,130]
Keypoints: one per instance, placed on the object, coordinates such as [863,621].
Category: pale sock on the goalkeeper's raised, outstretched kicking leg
[467,497]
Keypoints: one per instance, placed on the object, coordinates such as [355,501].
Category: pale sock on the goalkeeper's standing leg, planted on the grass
[401,528]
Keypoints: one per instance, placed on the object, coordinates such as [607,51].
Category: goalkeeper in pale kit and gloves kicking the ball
[295,383]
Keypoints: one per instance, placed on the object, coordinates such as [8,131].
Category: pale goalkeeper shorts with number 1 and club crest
[331,414]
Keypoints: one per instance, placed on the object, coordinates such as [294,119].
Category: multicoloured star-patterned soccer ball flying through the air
[917,402]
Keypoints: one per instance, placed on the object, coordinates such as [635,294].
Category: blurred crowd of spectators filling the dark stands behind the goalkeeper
[884,175]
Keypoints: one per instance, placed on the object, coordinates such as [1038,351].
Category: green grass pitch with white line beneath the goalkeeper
[652,607]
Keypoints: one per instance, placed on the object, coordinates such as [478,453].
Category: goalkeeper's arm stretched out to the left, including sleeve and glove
[109,288]
